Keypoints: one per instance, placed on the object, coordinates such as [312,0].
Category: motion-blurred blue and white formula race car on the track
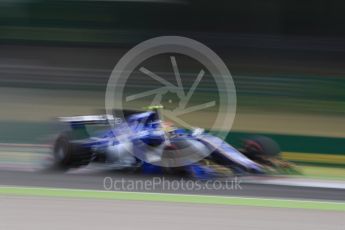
[142,141]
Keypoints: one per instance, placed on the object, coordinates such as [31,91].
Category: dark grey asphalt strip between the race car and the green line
[96,180]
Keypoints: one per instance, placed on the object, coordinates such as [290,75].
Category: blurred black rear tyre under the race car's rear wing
[68,154]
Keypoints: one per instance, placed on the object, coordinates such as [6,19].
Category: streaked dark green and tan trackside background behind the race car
[287,58]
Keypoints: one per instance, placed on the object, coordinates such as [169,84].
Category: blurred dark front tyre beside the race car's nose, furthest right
[262,146]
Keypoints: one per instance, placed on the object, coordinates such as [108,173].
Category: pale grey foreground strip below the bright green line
[61,213]
